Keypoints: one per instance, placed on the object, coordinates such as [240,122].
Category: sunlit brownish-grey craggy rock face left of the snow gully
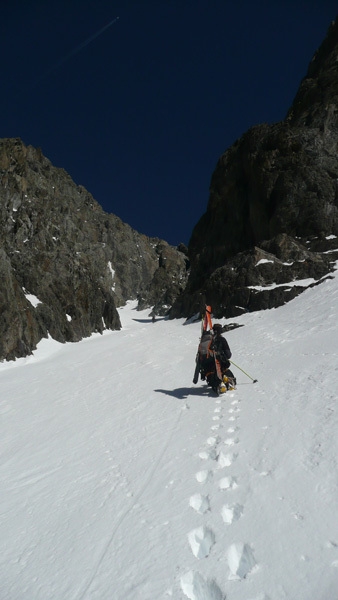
[65,264]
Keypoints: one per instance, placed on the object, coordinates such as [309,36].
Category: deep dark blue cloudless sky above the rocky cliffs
[140,114]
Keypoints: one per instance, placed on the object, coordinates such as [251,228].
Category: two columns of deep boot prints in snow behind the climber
[202,540]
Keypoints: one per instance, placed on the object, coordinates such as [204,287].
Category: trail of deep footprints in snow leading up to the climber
[217,479]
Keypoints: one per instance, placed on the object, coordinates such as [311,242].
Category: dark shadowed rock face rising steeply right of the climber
[273,201]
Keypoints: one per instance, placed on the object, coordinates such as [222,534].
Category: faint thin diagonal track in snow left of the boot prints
[136,498]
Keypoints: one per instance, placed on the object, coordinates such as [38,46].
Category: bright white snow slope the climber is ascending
[121,480]
